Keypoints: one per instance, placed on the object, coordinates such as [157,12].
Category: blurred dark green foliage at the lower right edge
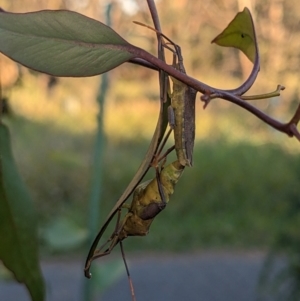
[282,282]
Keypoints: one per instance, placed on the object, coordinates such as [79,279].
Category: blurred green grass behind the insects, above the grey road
[233,197]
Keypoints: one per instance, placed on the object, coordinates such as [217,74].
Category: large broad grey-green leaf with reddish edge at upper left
[61,43]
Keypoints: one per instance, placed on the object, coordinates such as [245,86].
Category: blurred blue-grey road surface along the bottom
[217,276]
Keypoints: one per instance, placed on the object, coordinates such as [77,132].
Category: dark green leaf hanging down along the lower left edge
[18,227]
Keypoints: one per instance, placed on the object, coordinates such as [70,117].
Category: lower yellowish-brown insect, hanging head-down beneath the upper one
[149,199]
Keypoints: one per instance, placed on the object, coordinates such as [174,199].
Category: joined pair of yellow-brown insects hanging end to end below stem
[150,198]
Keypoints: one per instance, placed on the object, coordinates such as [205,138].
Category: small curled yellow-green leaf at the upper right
[240,34]
